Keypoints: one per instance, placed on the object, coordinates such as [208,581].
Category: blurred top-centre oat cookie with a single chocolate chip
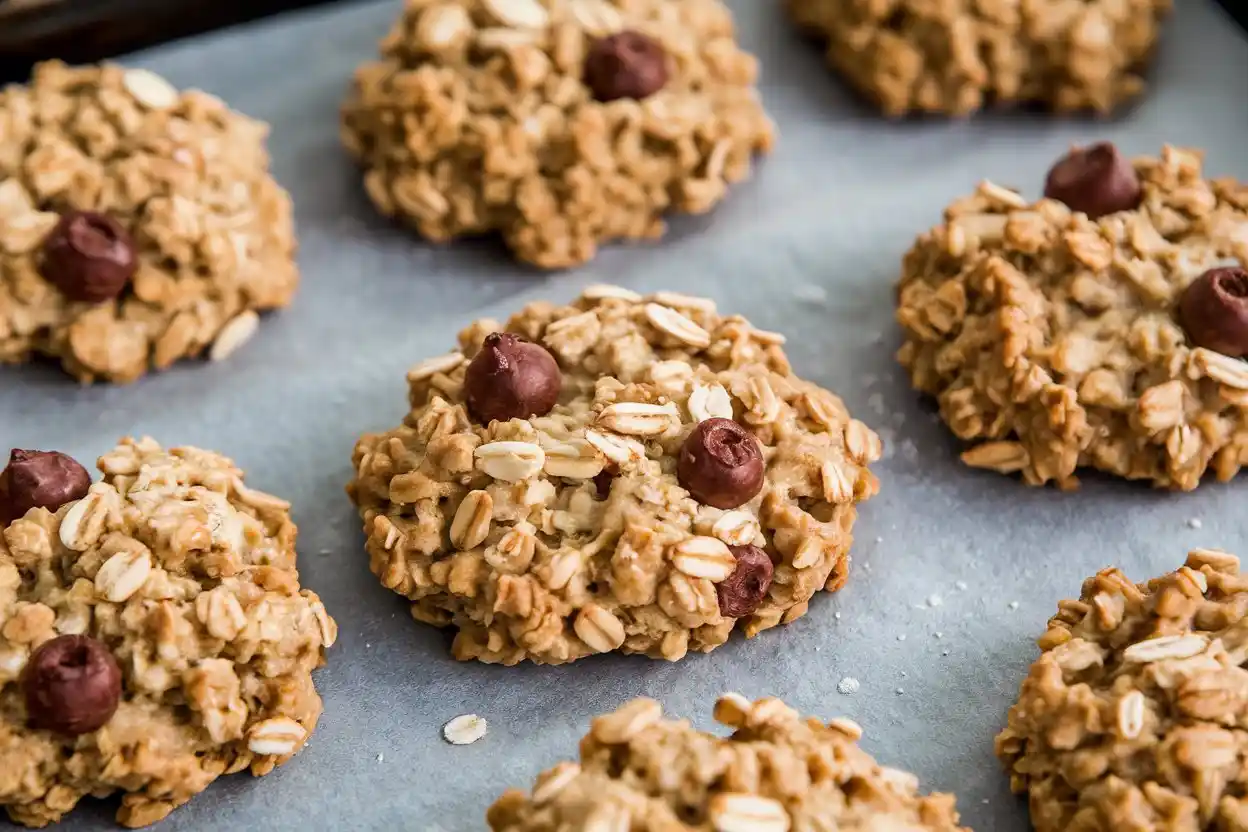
[491,117]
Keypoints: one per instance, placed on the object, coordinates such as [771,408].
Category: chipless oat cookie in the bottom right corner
[1134,717]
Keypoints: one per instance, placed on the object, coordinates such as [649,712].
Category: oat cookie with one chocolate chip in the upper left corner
[180,179]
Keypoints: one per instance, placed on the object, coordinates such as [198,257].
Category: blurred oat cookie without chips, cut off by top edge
[960,57]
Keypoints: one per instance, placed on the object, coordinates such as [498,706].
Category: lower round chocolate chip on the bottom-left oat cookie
[73,685]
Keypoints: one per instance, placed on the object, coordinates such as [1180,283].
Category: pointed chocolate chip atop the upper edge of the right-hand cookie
[1096,180]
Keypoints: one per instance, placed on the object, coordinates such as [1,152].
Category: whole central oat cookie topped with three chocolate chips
[625,473]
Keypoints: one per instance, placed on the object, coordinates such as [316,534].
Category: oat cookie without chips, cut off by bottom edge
[777,772]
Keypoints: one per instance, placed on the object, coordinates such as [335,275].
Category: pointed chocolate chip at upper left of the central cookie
[511,379]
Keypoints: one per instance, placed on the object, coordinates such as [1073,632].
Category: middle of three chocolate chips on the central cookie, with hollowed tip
[721,465]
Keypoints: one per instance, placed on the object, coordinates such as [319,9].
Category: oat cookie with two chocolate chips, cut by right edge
[1100,327]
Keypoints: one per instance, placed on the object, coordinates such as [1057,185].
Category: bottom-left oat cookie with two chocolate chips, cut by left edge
[153,632]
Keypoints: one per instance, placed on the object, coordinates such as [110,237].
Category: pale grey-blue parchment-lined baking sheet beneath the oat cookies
[809,248]
